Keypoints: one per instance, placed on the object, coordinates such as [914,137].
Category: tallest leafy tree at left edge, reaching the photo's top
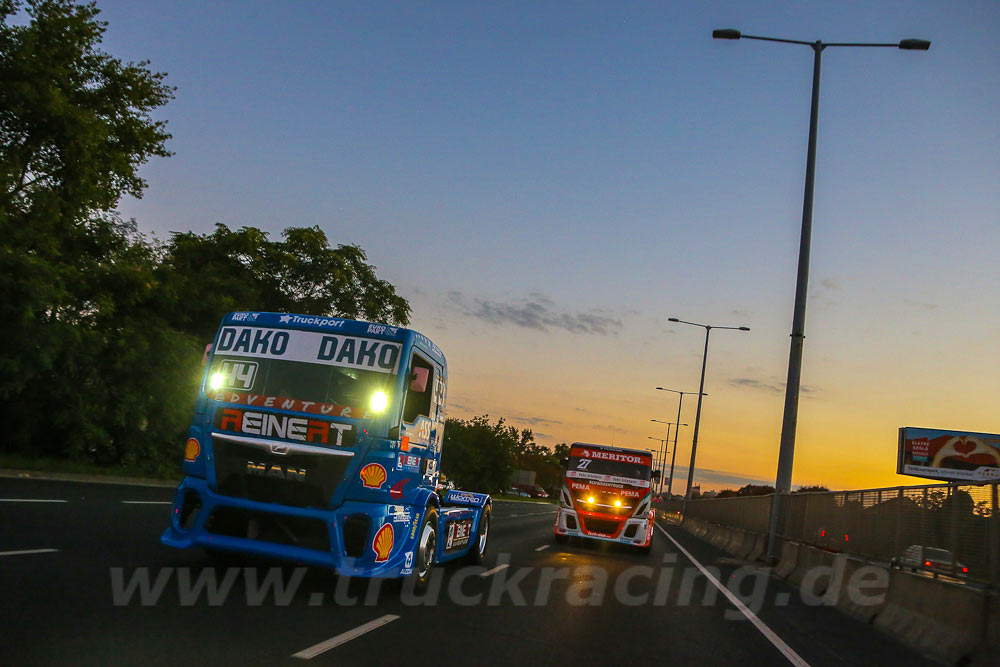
[75,126]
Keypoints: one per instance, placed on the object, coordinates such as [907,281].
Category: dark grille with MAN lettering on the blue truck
[248,472]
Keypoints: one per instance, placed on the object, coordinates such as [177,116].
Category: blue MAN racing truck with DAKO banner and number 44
[318,440]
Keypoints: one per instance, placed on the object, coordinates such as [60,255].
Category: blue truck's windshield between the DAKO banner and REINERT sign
[297,386]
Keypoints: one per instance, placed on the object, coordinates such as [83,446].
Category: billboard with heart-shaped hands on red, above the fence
[948,455]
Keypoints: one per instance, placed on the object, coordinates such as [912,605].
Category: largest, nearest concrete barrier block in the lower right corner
[945,620]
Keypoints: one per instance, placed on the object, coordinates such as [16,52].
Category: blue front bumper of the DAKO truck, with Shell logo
[323,547]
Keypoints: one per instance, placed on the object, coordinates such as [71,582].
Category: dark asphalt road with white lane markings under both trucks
[61,607]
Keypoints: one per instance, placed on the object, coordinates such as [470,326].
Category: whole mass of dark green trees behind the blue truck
[102,329]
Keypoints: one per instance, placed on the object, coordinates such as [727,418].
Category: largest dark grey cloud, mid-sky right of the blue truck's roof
[537,312]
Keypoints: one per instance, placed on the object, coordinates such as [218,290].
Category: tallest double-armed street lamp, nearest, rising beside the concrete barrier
[786,452]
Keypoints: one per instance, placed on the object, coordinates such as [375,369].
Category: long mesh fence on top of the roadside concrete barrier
[946,529]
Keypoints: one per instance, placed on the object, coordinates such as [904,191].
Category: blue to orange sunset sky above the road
[547,183]
